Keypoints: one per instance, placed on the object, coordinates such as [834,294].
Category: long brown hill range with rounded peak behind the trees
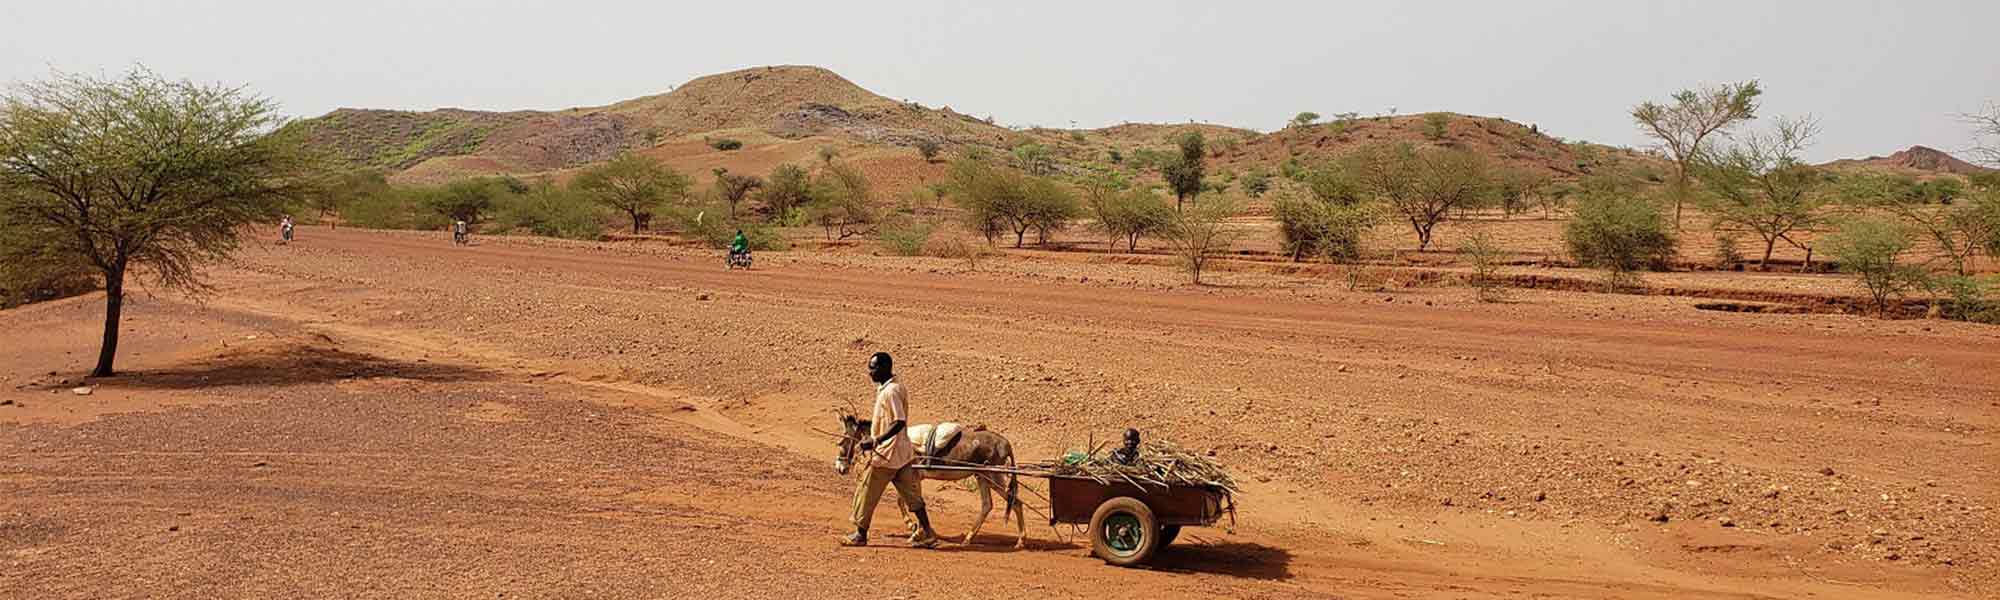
[789,113]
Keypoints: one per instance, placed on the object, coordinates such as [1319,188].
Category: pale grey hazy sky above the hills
[1879,75]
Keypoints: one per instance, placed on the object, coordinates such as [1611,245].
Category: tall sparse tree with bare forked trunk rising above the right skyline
[1687,123]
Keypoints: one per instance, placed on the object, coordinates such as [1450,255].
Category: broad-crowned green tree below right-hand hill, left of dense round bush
[1423,185]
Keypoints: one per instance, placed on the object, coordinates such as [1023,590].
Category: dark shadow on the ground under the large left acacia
[289,367]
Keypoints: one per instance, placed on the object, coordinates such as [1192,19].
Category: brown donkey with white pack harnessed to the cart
[949,445]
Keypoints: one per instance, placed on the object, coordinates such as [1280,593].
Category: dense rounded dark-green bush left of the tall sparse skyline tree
[1621,235]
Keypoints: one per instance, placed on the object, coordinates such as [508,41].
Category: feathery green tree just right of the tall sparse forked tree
[1765,187]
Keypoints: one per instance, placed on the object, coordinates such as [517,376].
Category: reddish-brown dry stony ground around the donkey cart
[387,415]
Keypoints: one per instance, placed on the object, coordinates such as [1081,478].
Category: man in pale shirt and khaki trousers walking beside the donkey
[889,459]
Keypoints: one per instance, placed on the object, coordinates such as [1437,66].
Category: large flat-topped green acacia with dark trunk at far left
[143,173]
